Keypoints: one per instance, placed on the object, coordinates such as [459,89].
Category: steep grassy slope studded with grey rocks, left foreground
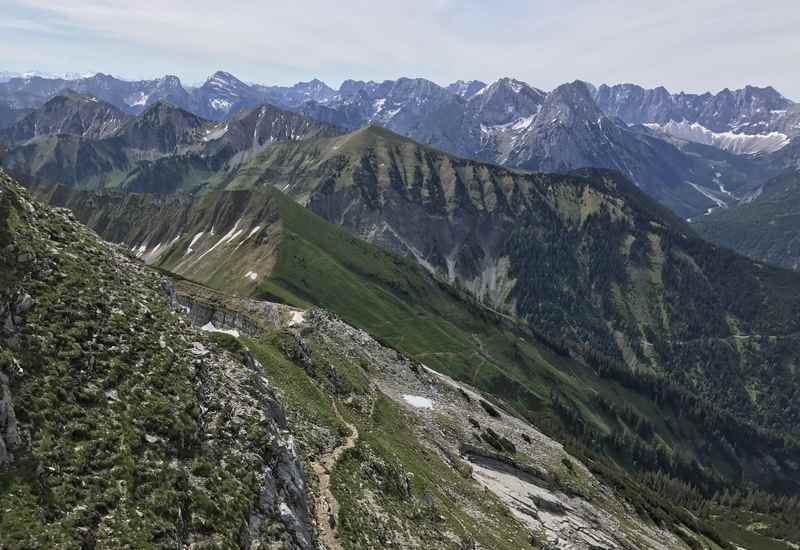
[120,425]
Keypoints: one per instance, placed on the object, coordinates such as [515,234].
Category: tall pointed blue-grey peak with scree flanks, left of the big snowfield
[568,131]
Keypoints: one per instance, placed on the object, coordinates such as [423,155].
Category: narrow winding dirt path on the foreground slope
[327,507]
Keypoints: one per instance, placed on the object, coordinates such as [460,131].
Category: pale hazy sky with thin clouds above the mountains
[685,45]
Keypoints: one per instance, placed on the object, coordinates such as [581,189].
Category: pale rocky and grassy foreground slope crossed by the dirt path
[427,460]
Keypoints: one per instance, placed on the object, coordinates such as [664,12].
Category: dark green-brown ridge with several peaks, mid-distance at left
[82,141]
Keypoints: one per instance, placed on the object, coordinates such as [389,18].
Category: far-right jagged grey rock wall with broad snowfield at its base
[742,121]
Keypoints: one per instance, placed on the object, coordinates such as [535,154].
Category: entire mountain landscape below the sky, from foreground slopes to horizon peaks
[425,299]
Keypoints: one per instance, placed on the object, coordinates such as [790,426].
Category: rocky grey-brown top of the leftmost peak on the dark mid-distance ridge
[71,113]
